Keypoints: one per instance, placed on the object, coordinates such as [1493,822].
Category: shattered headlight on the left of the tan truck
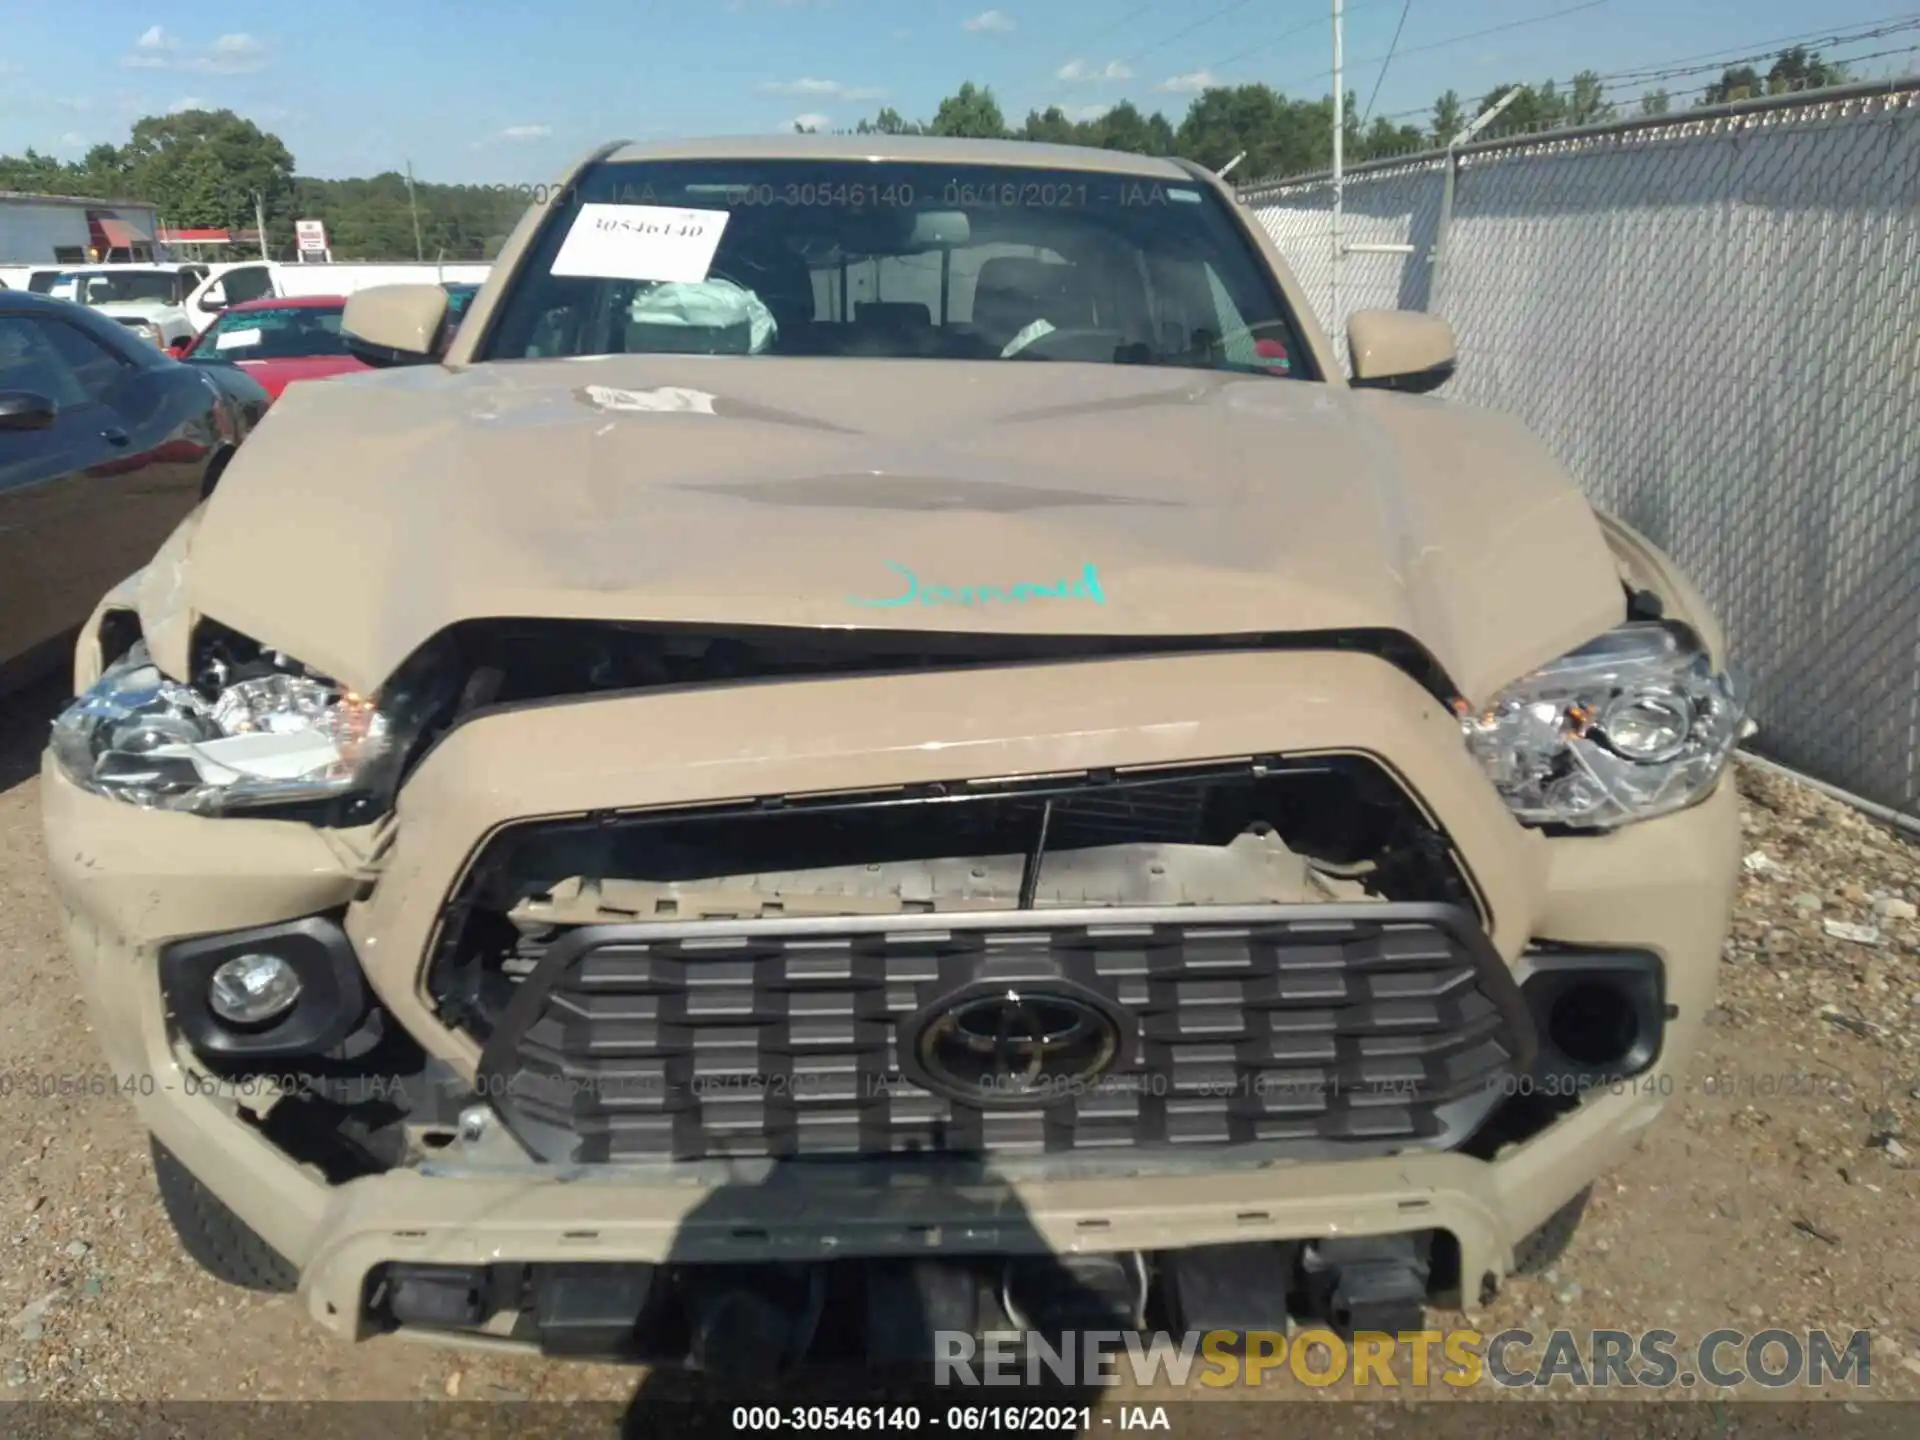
[268,736]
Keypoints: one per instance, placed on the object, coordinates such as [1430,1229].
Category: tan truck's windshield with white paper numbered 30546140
[896,260]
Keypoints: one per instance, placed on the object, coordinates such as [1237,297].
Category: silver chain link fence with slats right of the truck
[1716,322]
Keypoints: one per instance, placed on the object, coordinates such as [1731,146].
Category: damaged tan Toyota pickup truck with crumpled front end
[884,744]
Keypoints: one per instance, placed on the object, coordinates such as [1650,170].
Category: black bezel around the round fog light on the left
[333,992]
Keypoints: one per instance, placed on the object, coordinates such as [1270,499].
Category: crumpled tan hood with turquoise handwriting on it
[368,514]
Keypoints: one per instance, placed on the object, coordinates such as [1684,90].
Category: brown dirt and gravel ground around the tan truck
[1779,1191]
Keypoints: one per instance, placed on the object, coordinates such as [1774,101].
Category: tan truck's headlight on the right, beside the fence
[1629,727]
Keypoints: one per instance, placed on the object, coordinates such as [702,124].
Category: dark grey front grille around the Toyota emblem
[1293,1030]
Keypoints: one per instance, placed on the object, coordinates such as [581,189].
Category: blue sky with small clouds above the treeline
[512,91]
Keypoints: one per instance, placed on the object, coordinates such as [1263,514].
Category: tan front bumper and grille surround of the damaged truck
[137,880]
